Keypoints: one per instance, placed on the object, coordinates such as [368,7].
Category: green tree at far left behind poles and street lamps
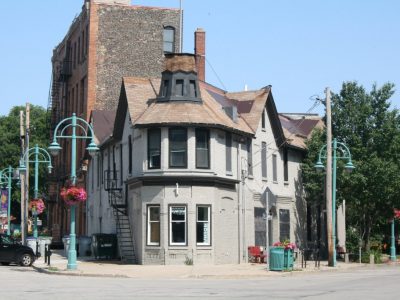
[10,150]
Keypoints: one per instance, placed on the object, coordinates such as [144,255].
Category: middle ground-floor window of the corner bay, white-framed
[177,226]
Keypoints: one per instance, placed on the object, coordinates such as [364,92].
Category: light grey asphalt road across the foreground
[380,282]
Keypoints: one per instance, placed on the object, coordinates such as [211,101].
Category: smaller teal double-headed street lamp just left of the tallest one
[40,155]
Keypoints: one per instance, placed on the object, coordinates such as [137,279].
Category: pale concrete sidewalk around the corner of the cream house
[88,266]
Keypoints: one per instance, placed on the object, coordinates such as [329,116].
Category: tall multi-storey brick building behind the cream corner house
[105,42]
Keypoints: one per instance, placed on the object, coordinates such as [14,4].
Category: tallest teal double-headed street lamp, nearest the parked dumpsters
[74,123]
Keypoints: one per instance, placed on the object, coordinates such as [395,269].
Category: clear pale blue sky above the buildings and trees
[298,47]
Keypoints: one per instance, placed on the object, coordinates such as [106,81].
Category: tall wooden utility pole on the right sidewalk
[329,207]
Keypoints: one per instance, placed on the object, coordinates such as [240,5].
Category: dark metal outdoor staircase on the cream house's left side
[120,209]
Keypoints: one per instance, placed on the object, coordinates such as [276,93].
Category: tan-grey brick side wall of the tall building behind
[129,43]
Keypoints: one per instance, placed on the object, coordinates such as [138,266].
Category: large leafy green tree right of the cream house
[371,129]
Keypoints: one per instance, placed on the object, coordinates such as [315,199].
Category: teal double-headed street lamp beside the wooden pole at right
[344,153]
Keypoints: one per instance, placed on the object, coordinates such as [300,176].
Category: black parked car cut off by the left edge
[12,251]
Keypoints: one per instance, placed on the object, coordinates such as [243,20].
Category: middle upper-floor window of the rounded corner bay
[177,148]
